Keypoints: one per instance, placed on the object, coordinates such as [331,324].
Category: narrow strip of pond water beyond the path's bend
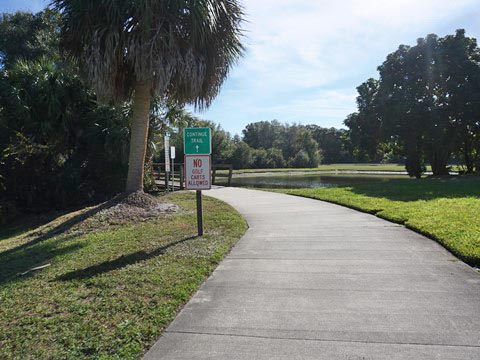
[292,181]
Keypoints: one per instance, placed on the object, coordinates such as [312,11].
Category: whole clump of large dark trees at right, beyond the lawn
[425,106]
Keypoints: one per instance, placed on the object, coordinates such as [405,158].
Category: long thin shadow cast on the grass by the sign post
[119,262]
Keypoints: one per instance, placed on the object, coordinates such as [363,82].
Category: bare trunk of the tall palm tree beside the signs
[138,137]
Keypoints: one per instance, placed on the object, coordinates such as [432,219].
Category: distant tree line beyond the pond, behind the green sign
[271,144]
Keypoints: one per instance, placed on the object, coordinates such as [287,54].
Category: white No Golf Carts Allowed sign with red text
[198,172]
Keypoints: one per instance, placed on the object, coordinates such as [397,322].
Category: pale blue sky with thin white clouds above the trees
[305,58]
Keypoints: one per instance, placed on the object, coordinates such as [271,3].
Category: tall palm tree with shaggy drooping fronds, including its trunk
[136,49]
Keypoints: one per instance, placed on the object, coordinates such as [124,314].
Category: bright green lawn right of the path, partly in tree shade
[445,209]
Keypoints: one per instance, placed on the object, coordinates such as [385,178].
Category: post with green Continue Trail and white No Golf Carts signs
[198,174]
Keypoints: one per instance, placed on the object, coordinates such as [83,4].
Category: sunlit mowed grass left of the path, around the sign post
[109,294]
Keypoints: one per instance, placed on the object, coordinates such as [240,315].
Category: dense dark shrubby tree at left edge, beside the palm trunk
[58,148]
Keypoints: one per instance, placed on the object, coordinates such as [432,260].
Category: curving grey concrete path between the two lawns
[312,280]
